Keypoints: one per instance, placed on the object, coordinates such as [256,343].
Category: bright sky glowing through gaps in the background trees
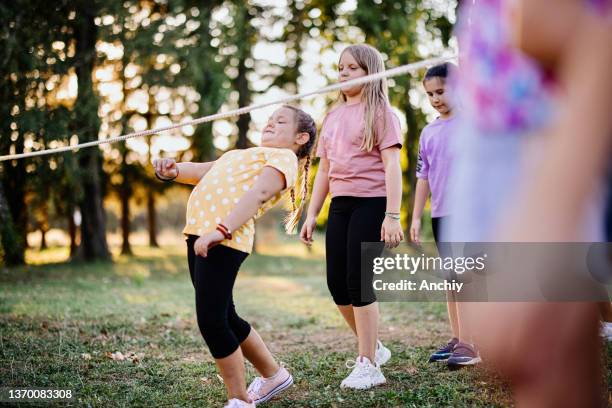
[175,104]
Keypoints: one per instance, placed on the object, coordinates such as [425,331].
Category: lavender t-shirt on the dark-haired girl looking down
[434,161]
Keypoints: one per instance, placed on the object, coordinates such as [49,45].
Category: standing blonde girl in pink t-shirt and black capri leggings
[359,165]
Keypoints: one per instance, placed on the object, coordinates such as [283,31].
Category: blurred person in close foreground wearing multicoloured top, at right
[535,144]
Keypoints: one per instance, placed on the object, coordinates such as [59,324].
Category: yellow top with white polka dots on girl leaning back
[232,175]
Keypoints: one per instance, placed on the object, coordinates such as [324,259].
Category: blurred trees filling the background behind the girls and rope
[77,71]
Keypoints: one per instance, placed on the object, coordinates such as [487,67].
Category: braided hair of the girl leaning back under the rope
[304,124]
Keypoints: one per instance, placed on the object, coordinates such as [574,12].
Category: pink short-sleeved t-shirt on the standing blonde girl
[353,172]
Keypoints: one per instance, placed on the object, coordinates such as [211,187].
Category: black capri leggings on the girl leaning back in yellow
[213,278]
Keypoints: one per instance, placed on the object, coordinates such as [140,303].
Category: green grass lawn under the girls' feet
[58,323]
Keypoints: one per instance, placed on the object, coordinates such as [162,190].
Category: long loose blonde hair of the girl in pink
[375,94]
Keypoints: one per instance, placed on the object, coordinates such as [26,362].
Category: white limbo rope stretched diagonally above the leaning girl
[240,111]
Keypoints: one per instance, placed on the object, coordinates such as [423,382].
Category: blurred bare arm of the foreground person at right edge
[578,144]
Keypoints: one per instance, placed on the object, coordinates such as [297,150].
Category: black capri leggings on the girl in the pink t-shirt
[351,221]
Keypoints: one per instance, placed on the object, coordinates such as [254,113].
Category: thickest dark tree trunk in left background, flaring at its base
[93,228]
